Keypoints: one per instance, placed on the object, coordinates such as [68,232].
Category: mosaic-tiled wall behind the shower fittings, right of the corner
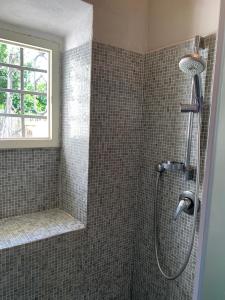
[164,138]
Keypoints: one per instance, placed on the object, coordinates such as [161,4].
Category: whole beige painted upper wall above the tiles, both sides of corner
[144,25]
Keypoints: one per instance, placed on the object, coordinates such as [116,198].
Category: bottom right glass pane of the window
[36,128]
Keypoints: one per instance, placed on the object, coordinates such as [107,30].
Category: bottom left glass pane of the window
[10,127]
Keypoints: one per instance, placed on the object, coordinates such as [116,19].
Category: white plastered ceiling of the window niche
[57,17]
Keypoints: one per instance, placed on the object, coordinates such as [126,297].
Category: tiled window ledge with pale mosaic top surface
[28,228]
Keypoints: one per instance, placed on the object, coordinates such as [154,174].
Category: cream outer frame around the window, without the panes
[53,48]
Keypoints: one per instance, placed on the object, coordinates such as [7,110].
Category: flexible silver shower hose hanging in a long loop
[156,238]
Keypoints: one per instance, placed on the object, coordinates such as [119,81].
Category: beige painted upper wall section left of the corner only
[121,23]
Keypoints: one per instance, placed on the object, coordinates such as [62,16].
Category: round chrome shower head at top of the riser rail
[192,64]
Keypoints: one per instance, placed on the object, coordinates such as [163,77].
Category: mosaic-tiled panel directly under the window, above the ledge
[28,181]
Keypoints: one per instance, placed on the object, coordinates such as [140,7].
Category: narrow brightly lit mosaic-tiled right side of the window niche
[76,70]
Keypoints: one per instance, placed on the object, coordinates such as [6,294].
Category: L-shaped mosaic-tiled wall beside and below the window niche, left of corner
[94,263]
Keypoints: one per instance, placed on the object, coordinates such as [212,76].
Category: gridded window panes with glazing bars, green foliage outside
[24,92]
